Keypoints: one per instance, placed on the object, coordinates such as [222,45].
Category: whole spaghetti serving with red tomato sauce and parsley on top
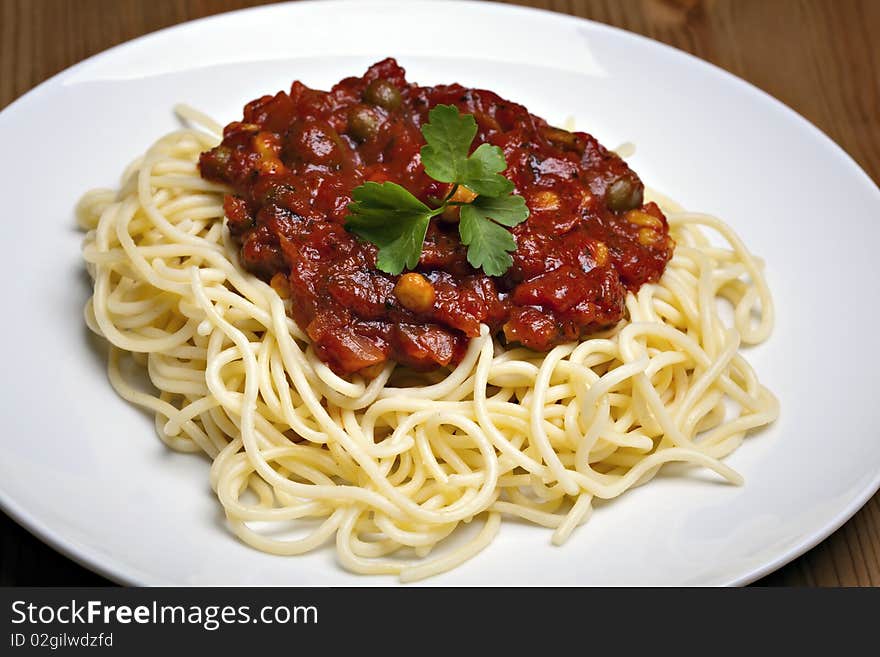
[386,311]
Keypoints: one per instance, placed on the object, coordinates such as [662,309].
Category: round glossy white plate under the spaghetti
[83,470]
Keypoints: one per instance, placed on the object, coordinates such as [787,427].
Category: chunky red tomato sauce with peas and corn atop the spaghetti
[294,159]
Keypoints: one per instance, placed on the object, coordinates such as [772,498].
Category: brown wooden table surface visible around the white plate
[818,56]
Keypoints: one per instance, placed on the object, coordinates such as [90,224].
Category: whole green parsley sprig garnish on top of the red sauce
[390,217]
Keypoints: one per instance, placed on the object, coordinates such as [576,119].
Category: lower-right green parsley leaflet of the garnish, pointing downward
[489,243]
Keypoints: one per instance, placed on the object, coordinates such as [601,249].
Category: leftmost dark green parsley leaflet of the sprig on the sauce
[394,220]
